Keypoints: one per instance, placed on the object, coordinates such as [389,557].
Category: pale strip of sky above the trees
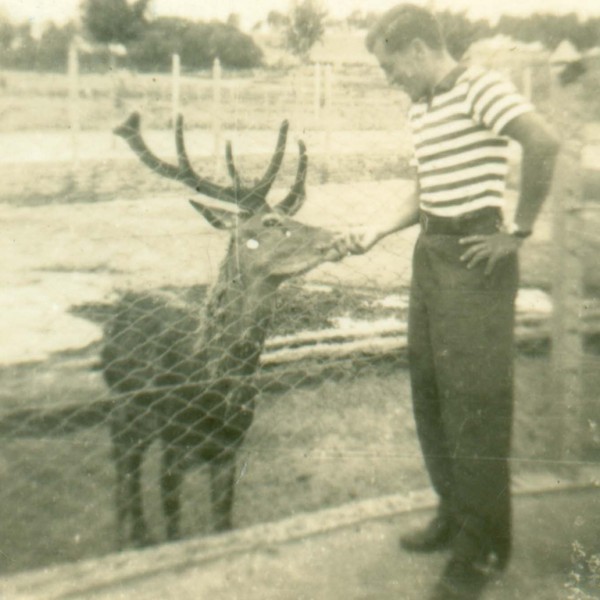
[251,11]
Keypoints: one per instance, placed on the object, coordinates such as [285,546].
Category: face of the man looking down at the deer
[407,69]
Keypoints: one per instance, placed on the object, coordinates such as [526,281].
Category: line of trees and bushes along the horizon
[150,42]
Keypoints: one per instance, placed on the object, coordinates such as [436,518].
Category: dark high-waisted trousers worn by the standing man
[461,326]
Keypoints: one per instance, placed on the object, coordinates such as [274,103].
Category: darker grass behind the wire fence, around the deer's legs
[308,449]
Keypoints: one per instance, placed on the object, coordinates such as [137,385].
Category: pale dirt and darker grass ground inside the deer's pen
[308,449]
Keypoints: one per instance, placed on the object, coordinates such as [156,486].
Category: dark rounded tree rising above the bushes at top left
[114,21]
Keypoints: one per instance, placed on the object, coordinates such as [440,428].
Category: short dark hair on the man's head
[400,25]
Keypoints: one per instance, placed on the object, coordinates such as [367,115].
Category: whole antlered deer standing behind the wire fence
[185,375]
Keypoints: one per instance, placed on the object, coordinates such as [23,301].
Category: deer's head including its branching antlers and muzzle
[266,242]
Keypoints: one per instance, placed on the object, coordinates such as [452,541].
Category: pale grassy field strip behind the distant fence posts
[247,100]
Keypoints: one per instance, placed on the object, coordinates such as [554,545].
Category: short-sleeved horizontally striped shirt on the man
[460,153]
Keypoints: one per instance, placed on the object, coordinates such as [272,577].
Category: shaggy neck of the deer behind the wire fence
[236,318]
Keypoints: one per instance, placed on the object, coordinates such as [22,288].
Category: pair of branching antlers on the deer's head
[249,199]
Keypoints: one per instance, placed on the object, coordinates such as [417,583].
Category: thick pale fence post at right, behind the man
[567,342]
